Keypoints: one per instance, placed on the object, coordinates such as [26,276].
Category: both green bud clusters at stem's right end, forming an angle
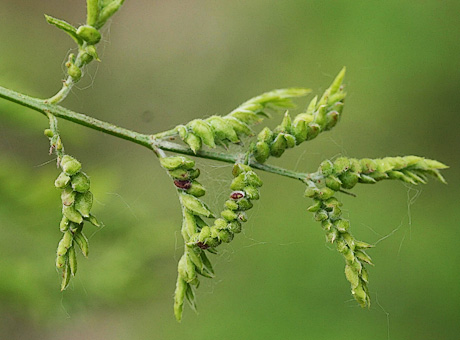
[345,173]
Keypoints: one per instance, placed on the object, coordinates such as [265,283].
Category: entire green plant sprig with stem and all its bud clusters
[203,231]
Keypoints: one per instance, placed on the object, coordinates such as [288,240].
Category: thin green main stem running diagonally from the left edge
[150,141]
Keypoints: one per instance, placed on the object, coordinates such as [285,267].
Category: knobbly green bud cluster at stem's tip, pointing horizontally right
[345,173]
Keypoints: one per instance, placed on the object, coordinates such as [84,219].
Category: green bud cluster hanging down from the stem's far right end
[327,210]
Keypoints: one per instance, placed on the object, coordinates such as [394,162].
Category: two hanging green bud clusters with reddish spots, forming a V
[198,236]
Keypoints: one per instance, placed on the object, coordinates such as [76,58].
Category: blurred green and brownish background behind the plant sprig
[167,62]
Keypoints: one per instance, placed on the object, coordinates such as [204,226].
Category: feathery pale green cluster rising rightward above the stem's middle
[217,130]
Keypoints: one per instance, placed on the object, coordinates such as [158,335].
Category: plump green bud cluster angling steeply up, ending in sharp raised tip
[320,116]
